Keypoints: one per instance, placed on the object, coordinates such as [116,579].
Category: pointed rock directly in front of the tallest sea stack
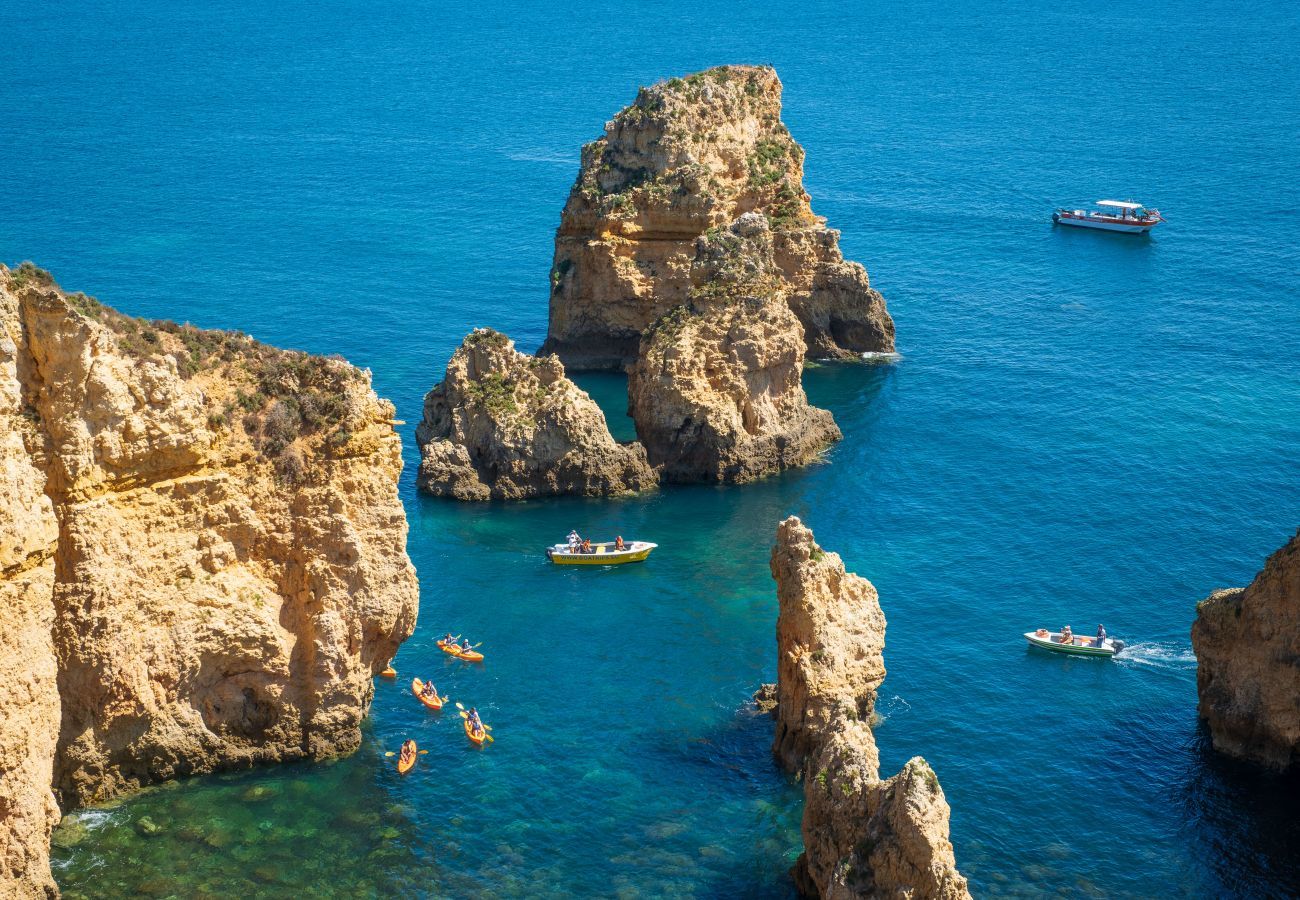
[717,392]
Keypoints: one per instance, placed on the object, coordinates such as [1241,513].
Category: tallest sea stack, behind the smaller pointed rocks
[688,155]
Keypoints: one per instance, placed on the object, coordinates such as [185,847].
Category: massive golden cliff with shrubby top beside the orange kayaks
[202,564]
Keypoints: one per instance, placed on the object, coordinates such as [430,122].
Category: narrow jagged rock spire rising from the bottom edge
[863,837]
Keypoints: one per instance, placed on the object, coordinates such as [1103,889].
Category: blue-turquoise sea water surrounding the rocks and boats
[1082,427]
